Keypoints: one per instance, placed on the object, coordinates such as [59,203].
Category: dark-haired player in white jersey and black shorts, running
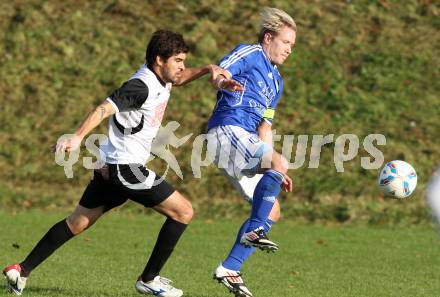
[135,110]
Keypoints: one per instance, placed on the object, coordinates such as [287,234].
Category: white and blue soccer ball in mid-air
[397,179]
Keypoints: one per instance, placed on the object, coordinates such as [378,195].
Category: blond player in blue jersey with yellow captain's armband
[240,138]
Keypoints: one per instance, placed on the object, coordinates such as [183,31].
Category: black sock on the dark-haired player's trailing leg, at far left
[54,238]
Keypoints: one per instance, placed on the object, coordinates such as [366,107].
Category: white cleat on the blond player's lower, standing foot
[232,280]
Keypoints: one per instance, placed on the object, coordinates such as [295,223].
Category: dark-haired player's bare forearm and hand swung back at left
[94,118]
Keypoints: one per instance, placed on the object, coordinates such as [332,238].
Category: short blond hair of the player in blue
[273,20]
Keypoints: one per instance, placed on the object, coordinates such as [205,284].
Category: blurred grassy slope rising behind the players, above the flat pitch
[358,67]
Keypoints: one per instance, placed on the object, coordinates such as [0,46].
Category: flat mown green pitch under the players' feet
[313,260]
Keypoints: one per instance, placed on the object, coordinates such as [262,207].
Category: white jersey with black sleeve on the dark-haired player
[140,104]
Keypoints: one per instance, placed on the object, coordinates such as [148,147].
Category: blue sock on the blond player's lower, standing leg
[239,253]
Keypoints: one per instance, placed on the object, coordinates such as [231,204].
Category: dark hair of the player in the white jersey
[164,44]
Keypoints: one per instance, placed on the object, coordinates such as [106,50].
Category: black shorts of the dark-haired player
[125,181]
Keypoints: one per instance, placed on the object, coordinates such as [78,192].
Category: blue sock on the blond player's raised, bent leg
[265,196]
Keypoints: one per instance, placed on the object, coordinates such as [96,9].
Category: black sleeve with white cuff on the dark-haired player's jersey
[130,96]
